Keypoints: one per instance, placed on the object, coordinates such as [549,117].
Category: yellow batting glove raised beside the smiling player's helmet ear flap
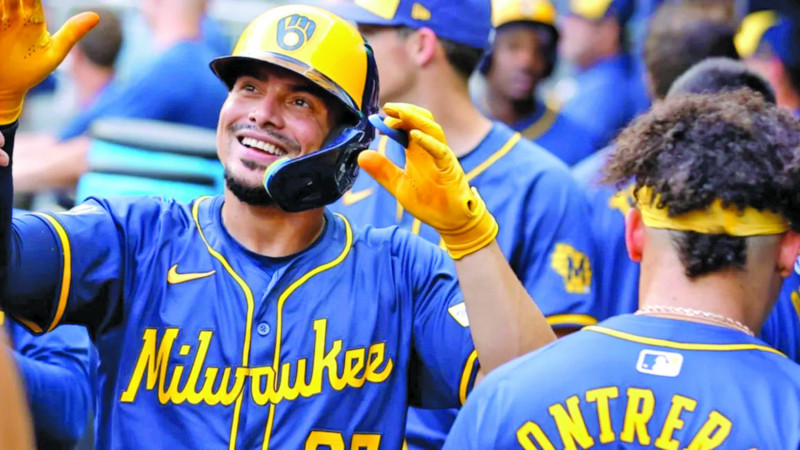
[432,186]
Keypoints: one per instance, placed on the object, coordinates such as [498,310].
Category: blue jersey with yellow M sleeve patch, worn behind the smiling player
[543,233]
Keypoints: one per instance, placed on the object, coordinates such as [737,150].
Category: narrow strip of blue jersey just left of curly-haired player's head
[616,274]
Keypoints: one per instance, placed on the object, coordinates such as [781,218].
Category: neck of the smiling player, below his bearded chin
[269,231]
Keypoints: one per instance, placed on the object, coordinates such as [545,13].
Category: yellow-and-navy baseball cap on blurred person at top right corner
[766,30]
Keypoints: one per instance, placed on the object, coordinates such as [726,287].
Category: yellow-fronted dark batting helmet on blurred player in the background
[540,14]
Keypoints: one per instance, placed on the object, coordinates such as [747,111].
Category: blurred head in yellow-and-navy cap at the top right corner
[769,43]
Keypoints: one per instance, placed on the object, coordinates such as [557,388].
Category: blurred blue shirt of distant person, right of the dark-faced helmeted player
[605,97]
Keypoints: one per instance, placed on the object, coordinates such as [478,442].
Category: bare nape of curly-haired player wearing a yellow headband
[731,293]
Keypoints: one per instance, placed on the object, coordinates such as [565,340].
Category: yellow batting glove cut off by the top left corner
[28,54]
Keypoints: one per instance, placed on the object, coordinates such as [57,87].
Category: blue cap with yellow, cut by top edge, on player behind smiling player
[467,22]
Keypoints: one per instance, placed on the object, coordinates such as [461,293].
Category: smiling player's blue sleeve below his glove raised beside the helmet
[444,360]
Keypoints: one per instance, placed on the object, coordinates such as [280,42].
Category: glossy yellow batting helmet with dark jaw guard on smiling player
[330,52]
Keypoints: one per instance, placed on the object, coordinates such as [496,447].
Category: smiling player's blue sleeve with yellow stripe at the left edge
[91,252]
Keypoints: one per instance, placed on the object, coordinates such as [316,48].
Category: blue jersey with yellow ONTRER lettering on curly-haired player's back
[633,382]
